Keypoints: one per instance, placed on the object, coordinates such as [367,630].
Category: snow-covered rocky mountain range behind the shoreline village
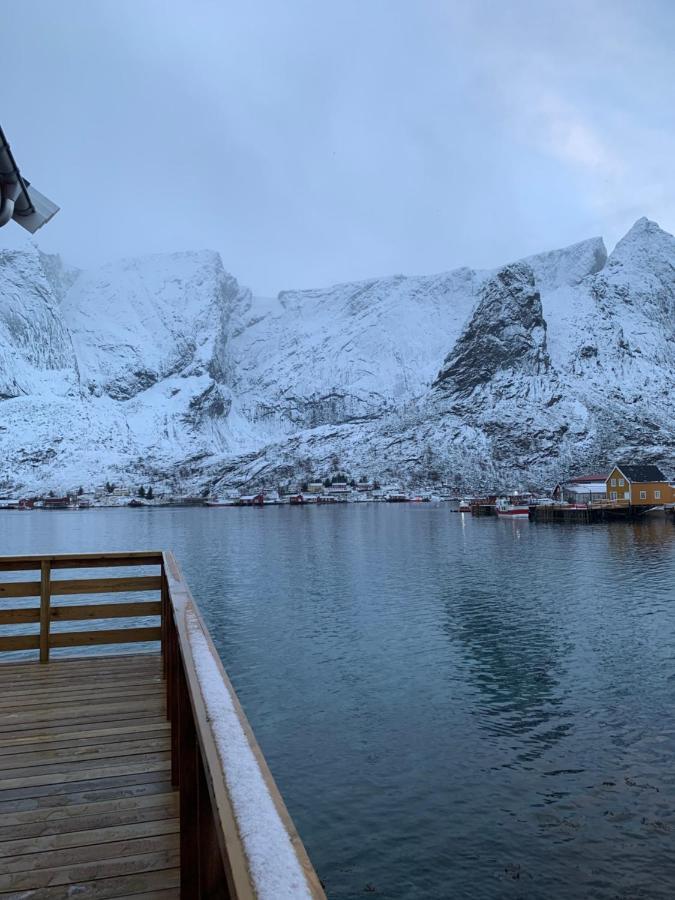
[164,370]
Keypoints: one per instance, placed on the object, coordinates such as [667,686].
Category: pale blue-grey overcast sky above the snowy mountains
[315,141]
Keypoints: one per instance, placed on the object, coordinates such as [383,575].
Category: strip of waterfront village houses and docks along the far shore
[627,490]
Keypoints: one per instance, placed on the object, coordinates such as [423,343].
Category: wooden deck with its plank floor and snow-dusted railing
[129,774]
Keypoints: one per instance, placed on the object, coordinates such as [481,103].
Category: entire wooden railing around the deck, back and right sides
[235,843]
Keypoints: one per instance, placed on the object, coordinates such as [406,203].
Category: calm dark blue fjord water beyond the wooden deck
[452,708]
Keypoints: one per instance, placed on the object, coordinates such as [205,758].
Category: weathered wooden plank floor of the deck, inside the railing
[87,808]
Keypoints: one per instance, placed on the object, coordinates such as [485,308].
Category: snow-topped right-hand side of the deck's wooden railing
[260,853]
